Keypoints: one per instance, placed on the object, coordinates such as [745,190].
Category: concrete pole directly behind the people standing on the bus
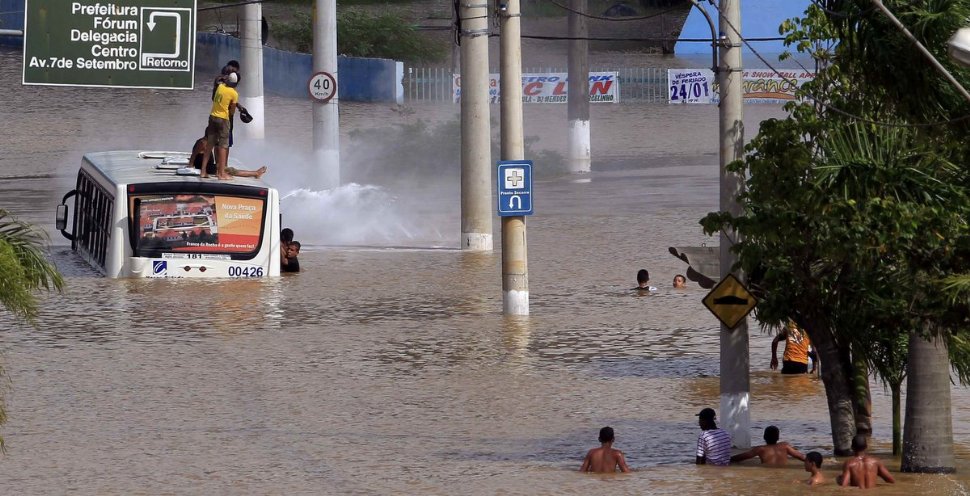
[251,62]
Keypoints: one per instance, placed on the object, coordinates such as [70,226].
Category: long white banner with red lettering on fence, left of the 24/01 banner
[604,87]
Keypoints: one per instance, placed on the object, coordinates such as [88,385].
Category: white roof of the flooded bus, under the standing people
[135,166]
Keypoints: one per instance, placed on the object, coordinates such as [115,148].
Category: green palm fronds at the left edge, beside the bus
[24,268]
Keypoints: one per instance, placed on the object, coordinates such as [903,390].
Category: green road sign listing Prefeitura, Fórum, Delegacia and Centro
[120,43]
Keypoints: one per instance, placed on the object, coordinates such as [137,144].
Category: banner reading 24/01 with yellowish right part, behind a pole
[759,85]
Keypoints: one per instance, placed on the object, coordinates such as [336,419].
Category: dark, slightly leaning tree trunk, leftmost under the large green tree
[837,378]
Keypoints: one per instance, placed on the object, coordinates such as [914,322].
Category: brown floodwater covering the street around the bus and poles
[386,366]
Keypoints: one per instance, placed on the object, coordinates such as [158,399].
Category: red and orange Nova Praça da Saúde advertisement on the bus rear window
[198,223]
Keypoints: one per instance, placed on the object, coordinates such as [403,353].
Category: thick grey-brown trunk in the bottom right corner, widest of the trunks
[928,434]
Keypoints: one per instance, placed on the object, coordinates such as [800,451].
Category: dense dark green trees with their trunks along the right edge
[855,216]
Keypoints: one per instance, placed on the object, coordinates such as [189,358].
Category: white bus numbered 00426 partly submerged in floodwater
[144,214]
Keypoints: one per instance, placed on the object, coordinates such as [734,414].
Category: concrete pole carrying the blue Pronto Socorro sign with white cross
[515,267]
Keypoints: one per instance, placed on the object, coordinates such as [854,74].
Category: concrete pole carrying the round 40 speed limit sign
[326,124]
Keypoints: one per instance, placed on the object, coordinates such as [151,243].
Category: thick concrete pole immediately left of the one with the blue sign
[476,138]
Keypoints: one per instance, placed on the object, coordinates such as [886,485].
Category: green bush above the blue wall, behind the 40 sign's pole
[360,34]
